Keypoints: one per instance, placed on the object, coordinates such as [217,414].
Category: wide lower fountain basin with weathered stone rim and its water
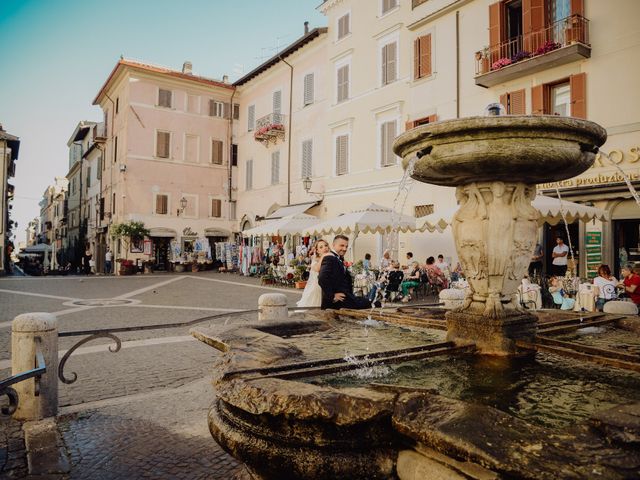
[287,411]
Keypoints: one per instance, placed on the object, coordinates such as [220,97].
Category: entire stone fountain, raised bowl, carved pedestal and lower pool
[278,410]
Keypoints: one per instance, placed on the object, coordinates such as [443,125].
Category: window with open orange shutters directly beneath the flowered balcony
[561,98]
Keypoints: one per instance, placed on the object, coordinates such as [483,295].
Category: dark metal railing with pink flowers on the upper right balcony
[569,30]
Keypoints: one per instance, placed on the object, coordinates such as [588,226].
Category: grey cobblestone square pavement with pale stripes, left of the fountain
[140,412]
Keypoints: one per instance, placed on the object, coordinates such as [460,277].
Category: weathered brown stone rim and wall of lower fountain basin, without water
[283,423]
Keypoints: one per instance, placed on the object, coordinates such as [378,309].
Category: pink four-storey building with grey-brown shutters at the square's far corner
[167,158]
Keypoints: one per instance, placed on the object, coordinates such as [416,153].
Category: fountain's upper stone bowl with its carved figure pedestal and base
[495,163]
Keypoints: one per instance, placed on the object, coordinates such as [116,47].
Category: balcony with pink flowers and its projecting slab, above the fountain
[562,42]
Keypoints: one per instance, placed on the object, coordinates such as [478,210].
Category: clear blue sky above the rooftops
[56,54]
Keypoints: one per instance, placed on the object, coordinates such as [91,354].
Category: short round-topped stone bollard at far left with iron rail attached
[25,329]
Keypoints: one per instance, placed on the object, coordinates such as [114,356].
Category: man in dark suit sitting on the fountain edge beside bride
[335,280]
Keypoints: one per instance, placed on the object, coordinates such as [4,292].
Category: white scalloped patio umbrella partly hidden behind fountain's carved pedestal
[549,208]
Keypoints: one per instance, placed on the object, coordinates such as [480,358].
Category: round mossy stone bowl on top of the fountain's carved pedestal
[528,149]
